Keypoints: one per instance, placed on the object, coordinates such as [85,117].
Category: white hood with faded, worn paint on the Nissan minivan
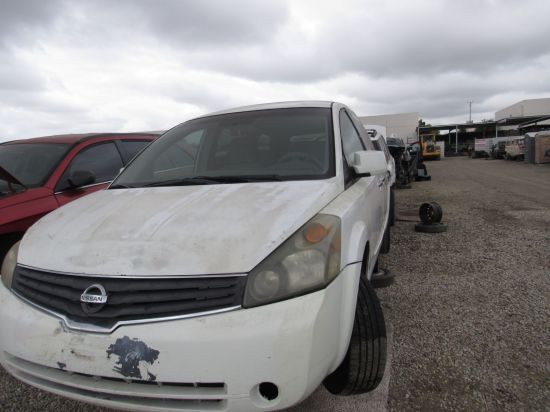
[173,231]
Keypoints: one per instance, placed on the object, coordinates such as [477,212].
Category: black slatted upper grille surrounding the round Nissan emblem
[128,298]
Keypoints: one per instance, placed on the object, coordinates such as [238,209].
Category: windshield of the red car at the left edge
[30,163]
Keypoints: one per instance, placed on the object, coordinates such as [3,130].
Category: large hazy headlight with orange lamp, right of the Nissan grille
[307,261]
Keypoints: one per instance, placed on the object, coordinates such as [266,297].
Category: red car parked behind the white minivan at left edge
[39,175]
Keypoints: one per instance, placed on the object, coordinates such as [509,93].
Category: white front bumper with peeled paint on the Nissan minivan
[206,363]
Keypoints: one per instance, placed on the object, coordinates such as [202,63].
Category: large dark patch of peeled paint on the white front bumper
[133,356]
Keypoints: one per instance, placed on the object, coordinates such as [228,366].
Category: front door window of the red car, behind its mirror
[103,160]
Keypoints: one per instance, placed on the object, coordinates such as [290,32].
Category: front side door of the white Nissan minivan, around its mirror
[373,209]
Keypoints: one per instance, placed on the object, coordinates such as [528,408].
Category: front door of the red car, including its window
[102,159]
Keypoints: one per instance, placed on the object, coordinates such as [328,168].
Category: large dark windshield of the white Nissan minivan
[278,144]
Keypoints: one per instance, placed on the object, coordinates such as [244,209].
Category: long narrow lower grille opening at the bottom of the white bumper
[122,393]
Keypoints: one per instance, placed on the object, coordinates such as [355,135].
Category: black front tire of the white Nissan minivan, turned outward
[363,366]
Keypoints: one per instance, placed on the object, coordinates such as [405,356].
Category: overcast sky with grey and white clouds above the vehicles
[131,65]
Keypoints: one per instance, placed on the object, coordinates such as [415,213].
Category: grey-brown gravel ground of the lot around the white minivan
[469,309]
